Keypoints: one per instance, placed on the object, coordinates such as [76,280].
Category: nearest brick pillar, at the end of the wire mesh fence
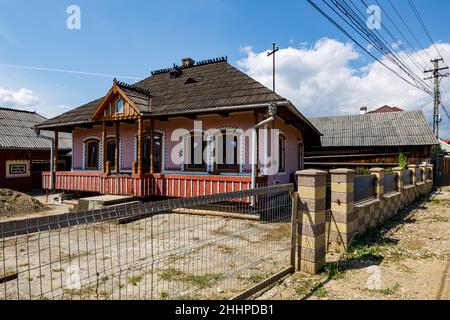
[311,210]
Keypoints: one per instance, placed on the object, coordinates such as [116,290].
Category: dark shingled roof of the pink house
[206,86]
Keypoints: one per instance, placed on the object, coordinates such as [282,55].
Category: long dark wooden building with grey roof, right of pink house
[374,139]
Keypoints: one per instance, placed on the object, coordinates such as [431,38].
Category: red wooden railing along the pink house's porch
[145,185]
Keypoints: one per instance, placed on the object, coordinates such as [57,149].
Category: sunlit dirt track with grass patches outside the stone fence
[407,258]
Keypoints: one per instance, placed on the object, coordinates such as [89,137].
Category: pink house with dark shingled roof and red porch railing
[123,141]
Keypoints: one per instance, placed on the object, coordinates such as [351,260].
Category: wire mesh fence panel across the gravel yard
[211,247]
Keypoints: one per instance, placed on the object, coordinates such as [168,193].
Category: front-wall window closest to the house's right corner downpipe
[228,153]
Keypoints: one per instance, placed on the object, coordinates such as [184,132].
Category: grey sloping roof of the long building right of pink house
[408,128]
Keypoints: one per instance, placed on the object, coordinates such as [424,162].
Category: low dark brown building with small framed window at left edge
[24,155]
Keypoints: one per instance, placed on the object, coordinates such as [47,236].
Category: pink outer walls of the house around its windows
[242,121]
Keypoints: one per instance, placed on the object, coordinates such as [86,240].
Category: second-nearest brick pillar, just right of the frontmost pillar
[344,222]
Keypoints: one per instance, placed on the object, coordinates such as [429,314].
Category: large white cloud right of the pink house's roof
[321,80]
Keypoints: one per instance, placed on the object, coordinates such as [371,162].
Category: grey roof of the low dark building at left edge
[17,131]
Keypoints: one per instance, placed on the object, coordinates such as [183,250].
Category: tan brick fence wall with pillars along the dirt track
[323,229]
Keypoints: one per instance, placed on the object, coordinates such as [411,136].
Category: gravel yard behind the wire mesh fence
[167,256]
